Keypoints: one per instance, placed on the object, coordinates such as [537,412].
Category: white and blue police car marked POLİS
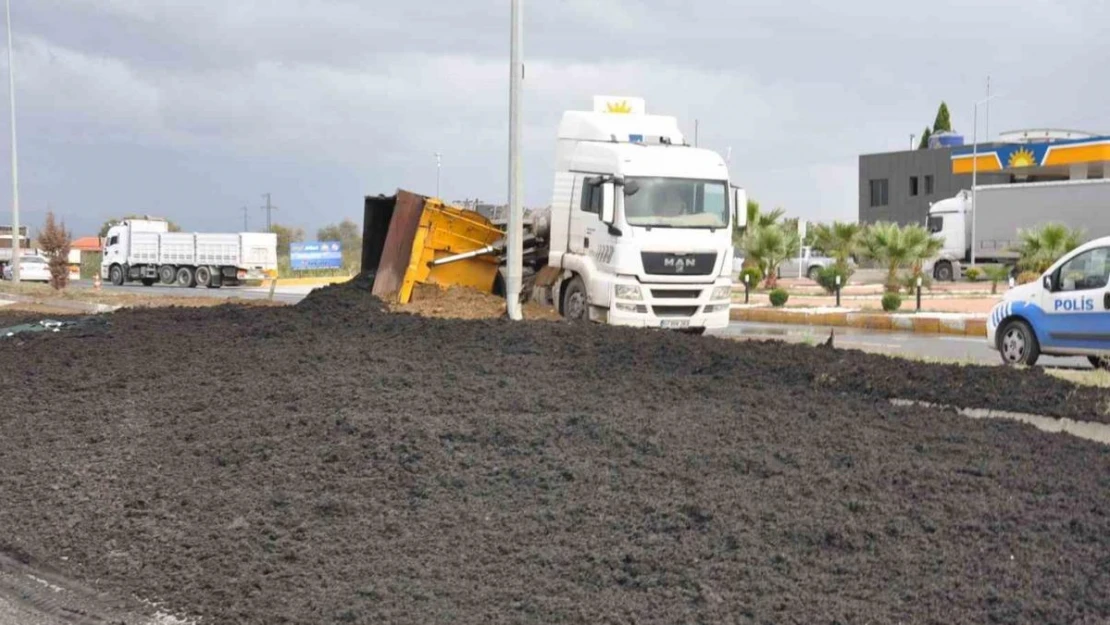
[1066,314]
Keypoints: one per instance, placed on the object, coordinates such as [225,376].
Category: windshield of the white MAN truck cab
[673,203]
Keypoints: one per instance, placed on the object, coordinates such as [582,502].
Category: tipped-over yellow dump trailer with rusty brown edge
[411,239]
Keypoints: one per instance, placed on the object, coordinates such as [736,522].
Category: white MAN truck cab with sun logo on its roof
[641,223]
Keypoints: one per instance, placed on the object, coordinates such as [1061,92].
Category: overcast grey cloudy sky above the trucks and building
[194,109]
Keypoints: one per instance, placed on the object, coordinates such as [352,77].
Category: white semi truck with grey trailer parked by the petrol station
[1004,210]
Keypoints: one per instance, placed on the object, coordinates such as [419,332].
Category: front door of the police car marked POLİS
[1077,310]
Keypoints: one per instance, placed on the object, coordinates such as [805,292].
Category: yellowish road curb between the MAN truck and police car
[919,324]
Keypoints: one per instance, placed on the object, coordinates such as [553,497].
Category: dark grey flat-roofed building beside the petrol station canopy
[900,186]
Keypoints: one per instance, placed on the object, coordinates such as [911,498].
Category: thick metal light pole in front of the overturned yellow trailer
[516,180]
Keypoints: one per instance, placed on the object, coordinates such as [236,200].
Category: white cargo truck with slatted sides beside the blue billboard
[144,250]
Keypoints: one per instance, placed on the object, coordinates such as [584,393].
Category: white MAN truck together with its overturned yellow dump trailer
[640,230]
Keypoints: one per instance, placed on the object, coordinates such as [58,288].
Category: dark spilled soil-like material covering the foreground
[334,463]
